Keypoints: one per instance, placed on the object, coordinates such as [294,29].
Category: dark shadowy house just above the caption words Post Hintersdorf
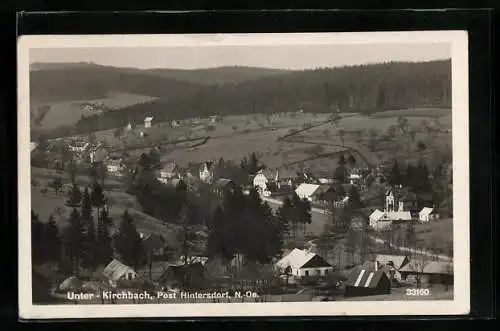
[186,276]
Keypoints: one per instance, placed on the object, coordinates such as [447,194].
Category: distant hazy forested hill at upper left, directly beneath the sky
[55,82]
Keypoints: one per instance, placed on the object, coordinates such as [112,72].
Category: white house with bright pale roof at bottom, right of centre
[301,264]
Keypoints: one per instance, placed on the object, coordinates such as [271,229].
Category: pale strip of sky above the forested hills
[294,57]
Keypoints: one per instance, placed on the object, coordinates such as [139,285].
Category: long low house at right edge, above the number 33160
[428,272]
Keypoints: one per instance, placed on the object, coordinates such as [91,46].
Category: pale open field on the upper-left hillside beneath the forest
[64,113]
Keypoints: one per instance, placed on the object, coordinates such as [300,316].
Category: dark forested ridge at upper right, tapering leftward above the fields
[364,89]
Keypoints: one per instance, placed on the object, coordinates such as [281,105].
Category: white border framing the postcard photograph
[461,303]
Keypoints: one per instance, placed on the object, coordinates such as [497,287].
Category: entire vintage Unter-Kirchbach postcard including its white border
[307,174]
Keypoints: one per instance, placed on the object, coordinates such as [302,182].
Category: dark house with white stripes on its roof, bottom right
[364,282]
